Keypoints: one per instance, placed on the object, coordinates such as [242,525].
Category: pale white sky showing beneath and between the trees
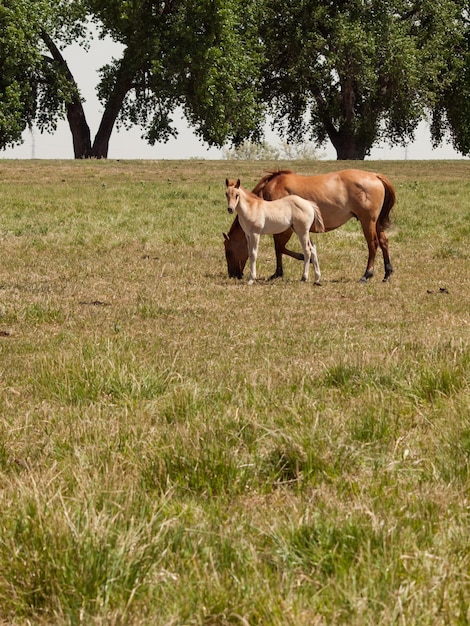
[127,144]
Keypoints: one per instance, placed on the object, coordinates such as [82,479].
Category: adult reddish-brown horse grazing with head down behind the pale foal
[340,196]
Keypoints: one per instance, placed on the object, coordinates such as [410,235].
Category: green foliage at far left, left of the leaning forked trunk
[34,87]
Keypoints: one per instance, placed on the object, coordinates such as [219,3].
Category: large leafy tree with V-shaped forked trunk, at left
[203,55]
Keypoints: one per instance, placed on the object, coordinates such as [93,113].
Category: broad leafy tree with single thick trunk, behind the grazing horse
[356,72]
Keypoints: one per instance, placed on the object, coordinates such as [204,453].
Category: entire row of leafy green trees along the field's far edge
[356,72]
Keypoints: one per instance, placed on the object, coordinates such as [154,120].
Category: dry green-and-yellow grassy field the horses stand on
[180,448]
